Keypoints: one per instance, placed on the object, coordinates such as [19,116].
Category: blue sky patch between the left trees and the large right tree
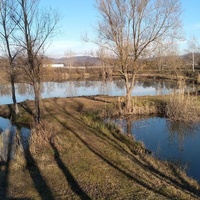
[77,18]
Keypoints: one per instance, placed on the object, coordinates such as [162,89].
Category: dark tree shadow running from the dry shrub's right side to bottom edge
[75,187]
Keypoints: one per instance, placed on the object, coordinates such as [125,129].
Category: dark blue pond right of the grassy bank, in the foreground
[176,142]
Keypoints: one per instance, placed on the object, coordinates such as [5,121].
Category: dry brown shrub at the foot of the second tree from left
[41,135]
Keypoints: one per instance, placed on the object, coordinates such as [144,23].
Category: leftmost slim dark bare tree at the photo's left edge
[9,48]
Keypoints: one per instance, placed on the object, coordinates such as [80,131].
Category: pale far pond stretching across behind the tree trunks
[86,88]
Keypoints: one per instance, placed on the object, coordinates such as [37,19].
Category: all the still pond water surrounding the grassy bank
[174,142]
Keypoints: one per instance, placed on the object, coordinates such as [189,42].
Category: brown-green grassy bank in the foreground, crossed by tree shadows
[85,159]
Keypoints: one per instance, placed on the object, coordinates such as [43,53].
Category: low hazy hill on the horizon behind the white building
[77,61]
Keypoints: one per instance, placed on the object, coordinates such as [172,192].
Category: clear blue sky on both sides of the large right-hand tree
[78,17]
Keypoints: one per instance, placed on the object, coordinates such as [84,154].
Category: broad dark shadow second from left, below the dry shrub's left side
[39,182]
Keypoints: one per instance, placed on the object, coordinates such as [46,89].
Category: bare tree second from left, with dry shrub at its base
[35,28]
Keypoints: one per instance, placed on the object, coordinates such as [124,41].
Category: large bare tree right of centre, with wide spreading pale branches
[130,29]
